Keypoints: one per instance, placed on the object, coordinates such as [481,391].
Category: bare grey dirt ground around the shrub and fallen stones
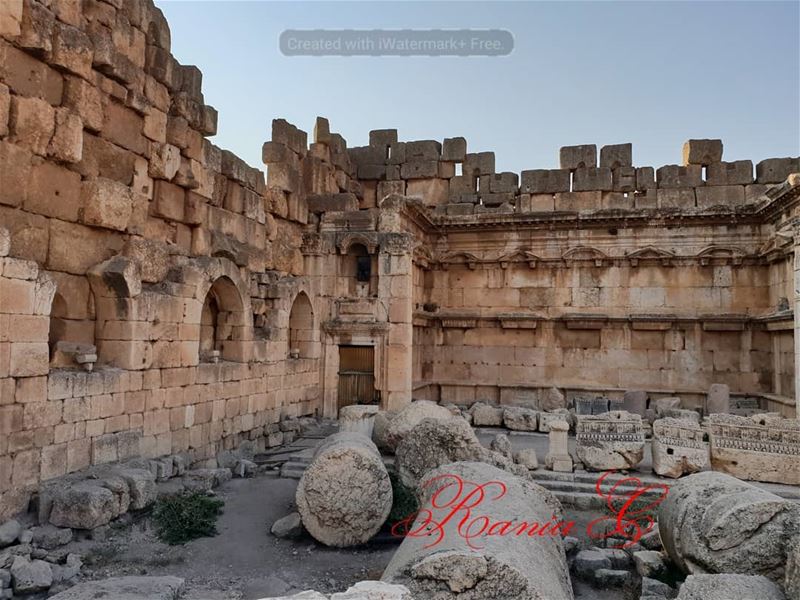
[244,561]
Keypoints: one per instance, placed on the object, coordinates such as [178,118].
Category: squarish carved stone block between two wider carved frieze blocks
[679,447]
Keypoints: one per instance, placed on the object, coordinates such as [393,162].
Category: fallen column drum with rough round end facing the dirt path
[345,494]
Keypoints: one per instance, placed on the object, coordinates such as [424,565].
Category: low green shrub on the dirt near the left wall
[186,517]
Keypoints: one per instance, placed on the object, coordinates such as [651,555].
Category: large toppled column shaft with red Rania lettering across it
[491,548]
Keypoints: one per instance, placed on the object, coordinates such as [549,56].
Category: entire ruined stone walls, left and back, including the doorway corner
[123,220]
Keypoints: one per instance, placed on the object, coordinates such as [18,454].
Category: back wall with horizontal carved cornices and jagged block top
[602,278]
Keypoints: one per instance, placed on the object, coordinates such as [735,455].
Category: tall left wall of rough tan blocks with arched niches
[119,223]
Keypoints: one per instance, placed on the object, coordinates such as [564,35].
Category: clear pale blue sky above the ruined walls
[650,73]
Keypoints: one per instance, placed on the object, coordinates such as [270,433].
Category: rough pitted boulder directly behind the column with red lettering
[435,442]
